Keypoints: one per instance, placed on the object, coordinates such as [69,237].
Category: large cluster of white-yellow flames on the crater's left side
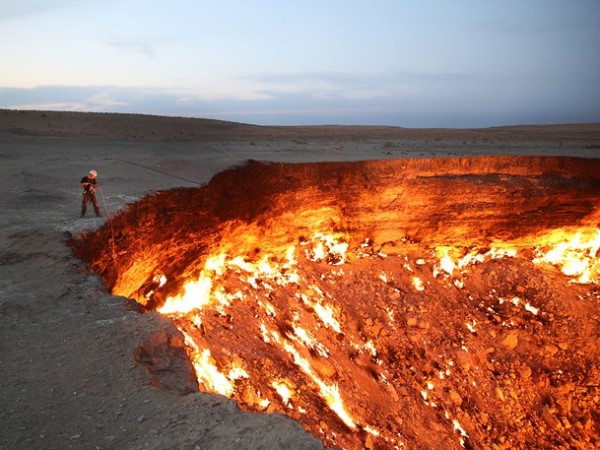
[206,294]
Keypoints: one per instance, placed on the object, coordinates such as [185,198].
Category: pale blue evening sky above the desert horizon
[410,63]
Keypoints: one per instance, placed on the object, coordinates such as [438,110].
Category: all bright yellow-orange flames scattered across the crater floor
[574,253]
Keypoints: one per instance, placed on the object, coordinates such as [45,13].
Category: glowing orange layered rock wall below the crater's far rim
[263,207]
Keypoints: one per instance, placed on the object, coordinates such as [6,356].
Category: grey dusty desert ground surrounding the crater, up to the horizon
[68,375]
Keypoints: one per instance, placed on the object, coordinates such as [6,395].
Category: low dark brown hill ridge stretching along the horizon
[151,127]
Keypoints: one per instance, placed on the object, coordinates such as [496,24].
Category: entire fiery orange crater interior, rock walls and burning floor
[378,303]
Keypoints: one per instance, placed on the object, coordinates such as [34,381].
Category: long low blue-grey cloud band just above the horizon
[302,107]
